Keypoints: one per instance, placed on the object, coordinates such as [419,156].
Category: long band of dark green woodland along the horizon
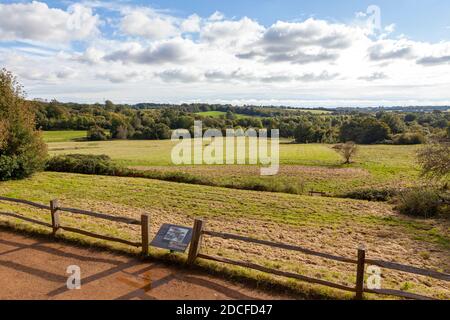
[154,121]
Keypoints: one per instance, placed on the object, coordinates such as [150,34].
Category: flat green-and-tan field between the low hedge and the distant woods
[304,167]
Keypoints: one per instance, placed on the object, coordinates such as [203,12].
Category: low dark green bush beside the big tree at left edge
[83,163]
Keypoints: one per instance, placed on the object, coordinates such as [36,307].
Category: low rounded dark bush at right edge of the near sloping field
[422,202]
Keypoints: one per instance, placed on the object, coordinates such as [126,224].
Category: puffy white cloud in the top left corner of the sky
[36,21]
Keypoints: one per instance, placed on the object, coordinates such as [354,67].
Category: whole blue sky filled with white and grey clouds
[305,53]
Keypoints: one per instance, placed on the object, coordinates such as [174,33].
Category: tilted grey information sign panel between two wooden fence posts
[172,237]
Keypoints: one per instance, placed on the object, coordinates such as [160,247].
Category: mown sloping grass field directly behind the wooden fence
[326,224]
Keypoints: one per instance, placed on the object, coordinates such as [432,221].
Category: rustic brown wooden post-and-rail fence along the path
[360,260]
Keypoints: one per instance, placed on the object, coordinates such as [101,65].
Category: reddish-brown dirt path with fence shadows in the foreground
[35,268]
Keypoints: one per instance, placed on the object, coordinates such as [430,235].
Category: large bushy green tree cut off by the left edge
[22,150]
